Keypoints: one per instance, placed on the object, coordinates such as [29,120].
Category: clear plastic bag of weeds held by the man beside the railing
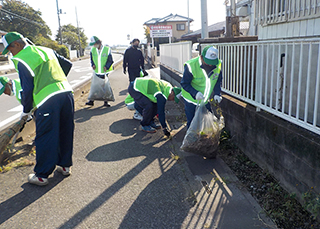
[203,135]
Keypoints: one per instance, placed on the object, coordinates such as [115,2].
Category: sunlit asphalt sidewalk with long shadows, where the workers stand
[125,178]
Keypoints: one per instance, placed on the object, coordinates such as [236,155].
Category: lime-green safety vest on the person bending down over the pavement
[152,87]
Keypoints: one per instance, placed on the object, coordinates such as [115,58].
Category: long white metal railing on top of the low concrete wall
[280,77]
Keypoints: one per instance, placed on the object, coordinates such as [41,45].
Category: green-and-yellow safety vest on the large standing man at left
[43,65]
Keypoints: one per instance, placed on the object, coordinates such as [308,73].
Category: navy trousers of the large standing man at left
[54,134]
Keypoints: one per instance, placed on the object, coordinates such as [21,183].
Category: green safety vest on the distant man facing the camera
[100,59]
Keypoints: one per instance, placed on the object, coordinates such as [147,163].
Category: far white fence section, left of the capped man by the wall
[175,55]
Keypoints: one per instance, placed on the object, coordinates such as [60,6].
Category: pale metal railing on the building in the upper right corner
[278,11]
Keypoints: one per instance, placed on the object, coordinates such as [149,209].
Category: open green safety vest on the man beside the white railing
[201,82]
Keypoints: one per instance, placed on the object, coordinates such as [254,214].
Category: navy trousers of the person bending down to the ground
[144,106]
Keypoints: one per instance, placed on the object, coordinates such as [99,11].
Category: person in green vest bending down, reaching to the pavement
[150,96]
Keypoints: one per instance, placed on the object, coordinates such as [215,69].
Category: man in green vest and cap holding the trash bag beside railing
[202,77]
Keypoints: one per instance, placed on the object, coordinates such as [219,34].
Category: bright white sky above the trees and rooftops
[112,20]
